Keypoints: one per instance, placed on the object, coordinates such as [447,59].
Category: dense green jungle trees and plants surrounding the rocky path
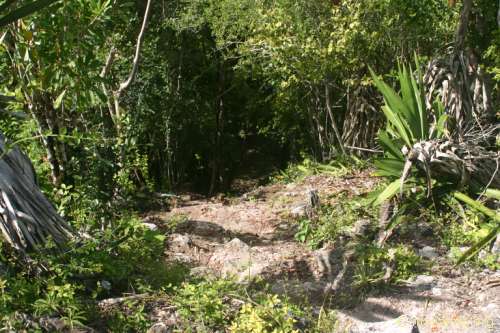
[124,106]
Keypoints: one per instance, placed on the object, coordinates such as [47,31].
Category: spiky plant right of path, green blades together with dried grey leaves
[416,136]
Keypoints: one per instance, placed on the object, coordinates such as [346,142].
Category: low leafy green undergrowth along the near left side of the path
[129,260]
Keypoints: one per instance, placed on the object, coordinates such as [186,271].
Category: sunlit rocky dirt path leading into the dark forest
[252,237]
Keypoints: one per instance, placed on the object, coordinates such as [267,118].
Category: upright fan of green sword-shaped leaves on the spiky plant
[409,122]
